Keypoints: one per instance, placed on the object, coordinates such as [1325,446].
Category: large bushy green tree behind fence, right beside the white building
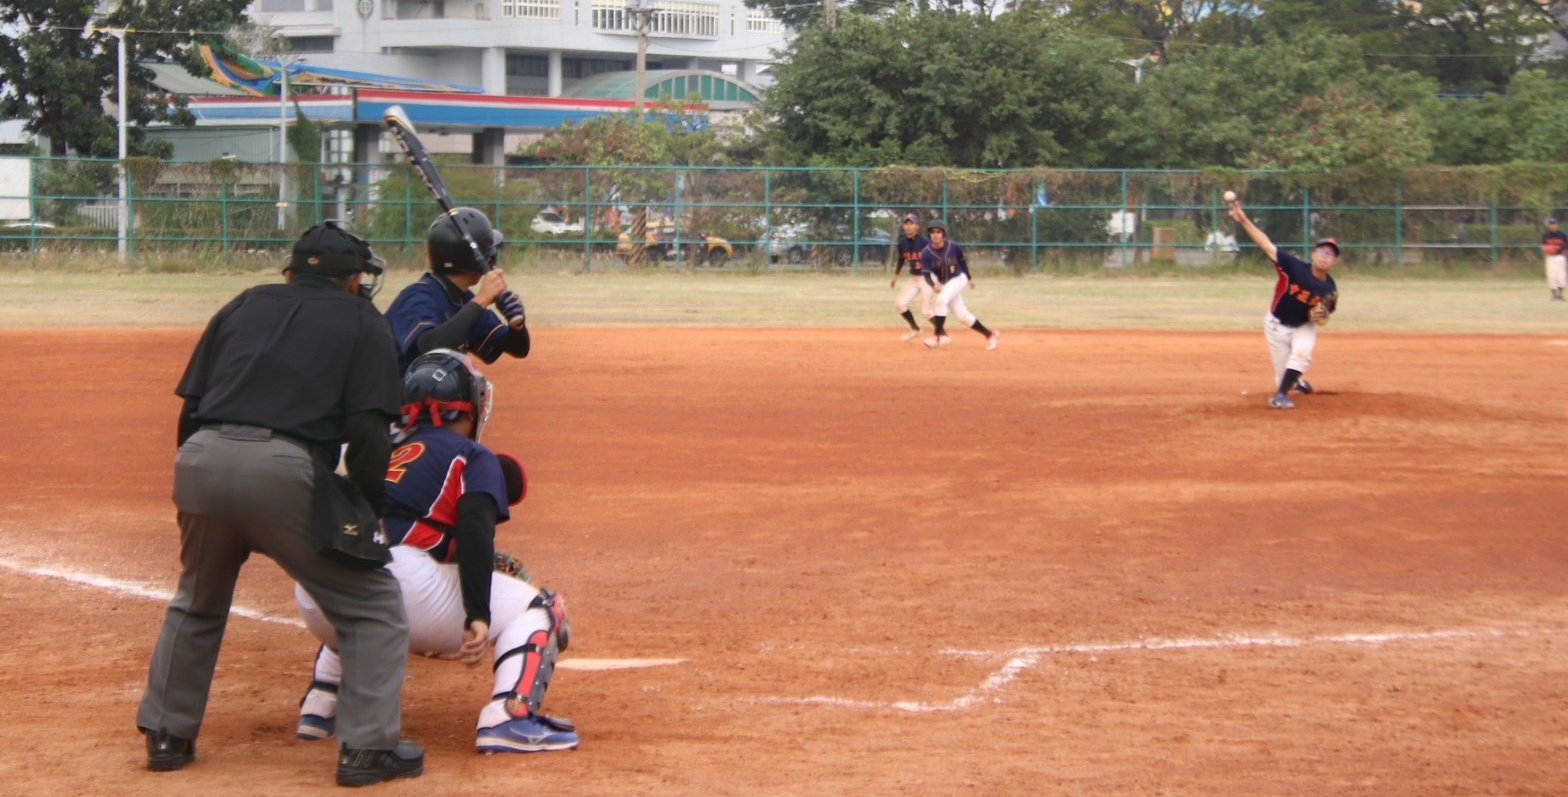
[951,90]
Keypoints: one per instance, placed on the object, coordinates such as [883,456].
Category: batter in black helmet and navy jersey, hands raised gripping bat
[451,307]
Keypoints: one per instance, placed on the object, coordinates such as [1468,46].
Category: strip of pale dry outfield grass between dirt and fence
[46,297]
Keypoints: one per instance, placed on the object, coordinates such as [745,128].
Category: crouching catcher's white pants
[434,602]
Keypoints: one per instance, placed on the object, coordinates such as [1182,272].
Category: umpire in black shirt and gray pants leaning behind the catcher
[280,380]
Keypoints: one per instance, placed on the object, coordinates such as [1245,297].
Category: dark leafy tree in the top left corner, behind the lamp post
[59,78]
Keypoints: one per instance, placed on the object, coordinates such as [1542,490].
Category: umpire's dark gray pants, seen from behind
[242,490]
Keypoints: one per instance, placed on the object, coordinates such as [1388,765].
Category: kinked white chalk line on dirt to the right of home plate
[1022,660]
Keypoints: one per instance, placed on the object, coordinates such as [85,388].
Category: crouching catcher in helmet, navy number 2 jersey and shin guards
[446,493]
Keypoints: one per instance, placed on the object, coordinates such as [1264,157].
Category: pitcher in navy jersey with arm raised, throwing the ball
[1305,296]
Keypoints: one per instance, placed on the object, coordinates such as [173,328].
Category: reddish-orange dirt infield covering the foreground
[1084,564]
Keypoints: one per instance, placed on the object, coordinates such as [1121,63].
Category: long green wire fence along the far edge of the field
[1033,220]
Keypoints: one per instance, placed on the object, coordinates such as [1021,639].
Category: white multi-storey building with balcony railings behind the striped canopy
[523,48]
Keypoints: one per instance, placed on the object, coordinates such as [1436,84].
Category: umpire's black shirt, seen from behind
[307,360]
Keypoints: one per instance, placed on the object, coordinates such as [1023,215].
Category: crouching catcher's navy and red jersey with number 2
[430,471]
